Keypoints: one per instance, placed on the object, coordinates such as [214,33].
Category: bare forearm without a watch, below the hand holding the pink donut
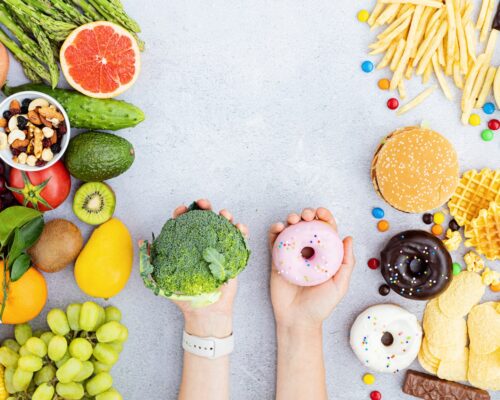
[301,371]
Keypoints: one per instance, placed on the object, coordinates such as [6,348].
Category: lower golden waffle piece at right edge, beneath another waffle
[483,232]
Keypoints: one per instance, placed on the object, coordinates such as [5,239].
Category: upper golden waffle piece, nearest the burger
[475,191]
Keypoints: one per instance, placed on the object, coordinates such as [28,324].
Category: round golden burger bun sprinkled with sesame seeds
[415,170]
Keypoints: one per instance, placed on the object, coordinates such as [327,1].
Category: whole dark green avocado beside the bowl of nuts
[98,156]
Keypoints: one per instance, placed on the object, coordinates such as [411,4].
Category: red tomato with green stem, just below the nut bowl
[43,190]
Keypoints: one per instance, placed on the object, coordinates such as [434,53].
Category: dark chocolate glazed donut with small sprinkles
[416,265]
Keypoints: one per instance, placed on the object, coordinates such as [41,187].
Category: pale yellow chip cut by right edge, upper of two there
[484,328]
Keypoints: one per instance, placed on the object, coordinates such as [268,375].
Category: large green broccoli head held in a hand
[194,255]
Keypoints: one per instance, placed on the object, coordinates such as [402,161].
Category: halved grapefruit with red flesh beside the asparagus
[100,59]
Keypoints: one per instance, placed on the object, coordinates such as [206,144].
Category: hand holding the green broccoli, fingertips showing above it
[216,319]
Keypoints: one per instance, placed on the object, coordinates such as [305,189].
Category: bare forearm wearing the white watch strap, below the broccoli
[203,378]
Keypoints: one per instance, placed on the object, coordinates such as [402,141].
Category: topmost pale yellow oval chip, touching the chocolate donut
[464,292]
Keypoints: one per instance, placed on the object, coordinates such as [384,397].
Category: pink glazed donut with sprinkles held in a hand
[308,253]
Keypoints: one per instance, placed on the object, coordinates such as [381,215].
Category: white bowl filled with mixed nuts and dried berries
[34,131]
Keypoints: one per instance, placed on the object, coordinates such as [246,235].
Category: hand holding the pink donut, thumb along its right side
[308,307]
